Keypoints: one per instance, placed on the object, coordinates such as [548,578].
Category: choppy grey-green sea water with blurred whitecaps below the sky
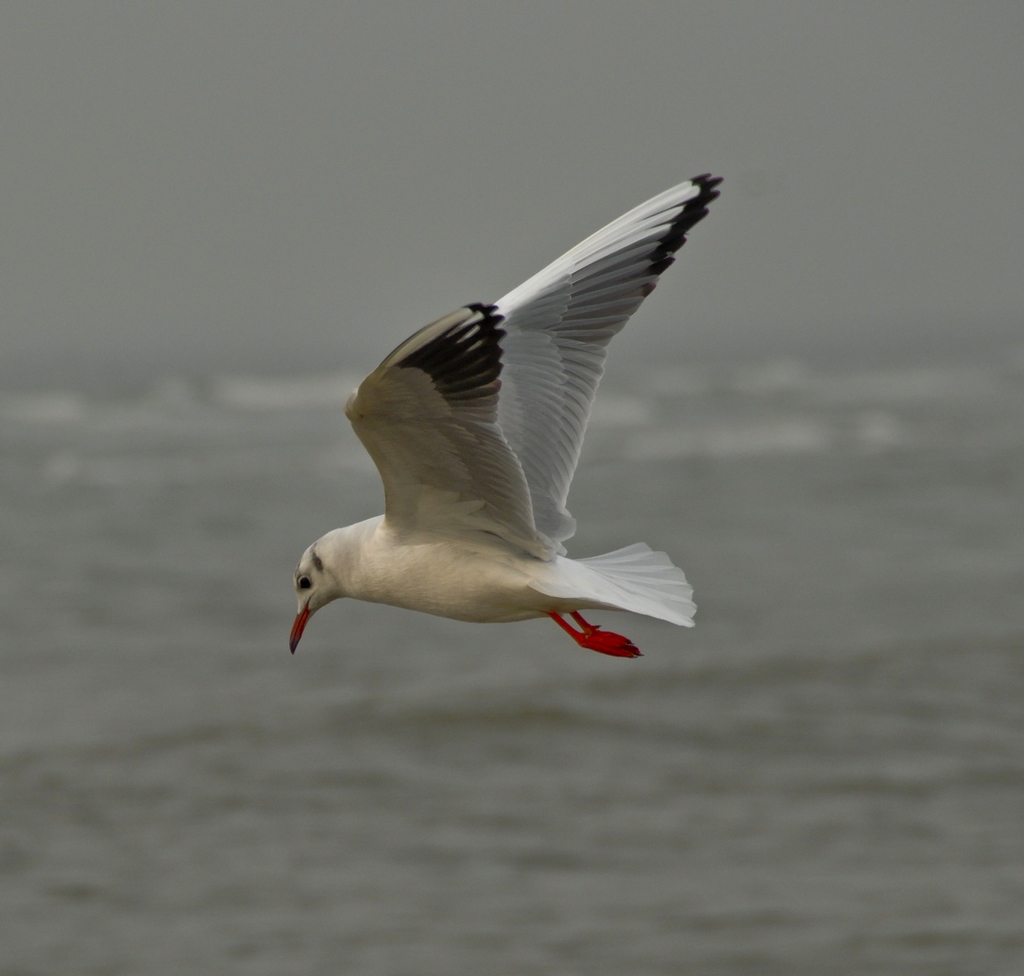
[826,776]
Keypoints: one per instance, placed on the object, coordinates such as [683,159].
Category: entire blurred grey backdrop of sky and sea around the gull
[218,218]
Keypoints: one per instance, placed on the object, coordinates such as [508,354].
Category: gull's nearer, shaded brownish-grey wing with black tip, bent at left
[428,416]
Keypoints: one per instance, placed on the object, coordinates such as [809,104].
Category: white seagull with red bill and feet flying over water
[476,426]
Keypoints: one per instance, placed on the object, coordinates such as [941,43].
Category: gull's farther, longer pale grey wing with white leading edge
[558,327]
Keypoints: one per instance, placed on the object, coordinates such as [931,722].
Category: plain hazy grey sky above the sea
[287,188]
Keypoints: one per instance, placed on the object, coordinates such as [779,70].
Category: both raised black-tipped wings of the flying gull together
[476,422]
